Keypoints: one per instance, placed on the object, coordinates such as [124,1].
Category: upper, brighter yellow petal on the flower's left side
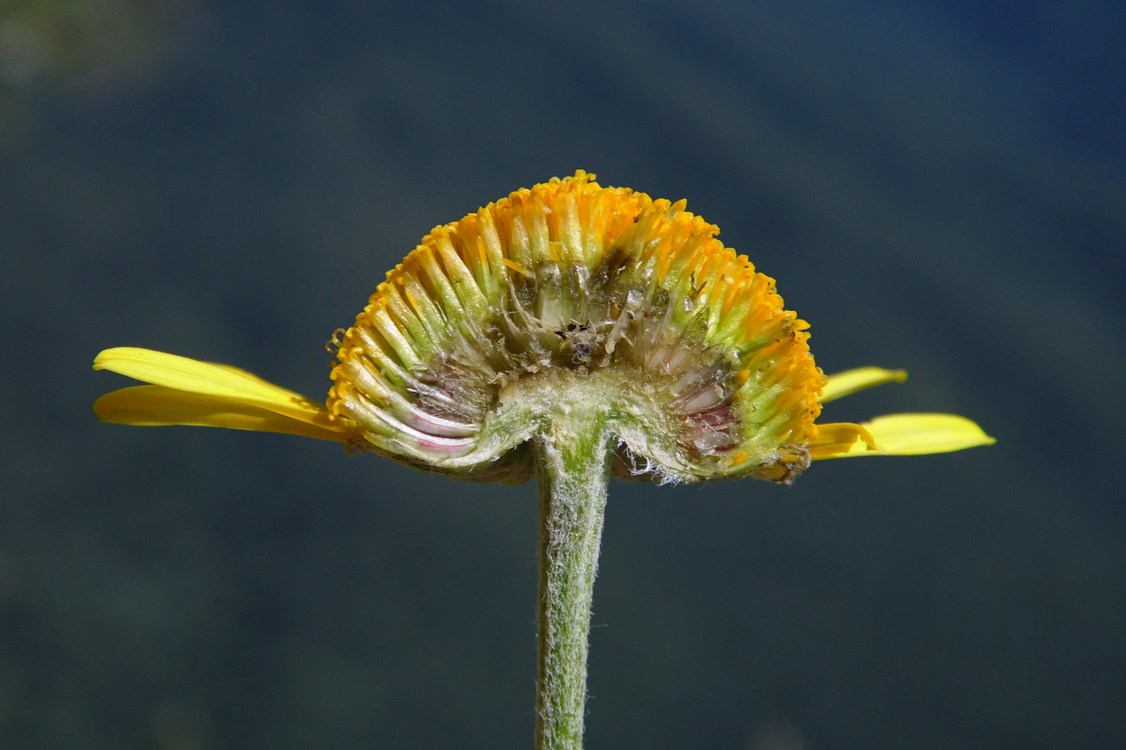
[208,379]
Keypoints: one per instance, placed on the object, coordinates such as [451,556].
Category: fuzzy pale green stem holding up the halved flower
[574,463]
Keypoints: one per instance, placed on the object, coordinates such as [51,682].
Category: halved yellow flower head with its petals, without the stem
[568,291]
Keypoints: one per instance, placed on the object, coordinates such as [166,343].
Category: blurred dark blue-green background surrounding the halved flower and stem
[936,185]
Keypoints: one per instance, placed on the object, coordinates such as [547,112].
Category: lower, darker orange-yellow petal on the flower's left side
[159,406]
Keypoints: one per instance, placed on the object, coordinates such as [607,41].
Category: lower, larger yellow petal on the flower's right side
[899,435]
